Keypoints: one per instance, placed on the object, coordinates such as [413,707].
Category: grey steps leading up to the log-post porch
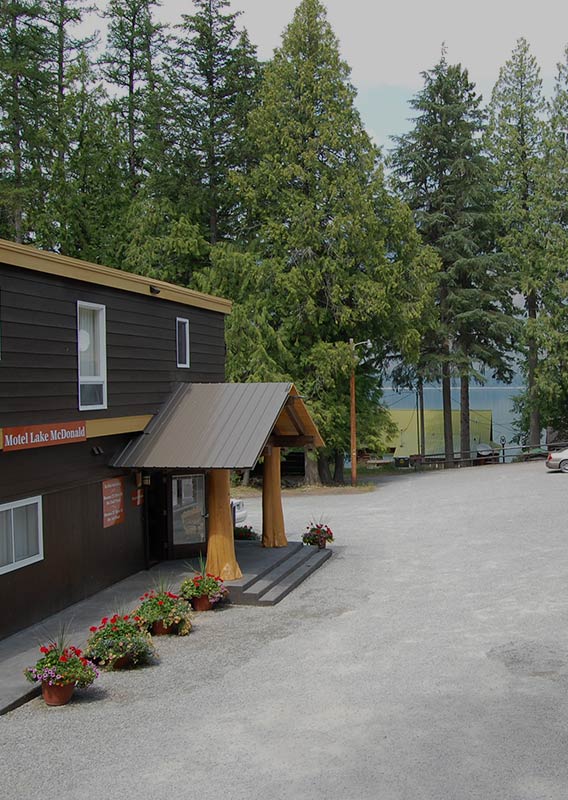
[275,584]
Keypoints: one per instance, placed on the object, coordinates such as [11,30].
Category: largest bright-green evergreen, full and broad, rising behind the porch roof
[332,255]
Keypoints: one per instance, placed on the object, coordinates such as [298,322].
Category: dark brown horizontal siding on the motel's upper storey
[38,348]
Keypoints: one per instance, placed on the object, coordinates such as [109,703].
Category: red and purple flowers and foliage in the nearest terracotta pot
[61,664]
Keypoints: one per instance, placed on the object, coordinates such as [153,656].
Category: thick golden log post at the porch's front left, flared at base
[221,559]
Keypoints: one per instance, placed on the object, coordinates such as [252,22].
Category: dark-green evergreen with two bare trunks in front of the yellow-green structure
[443,175]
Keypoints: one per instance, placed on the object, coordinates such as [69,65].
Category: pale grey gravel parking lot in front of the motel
[428,659]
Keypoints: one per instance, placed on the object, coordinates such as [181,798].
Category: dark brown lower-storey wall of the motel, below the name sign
[81,557]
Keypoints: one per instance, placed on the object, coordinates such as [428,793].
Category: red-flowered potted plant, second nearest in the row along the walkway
[119,641]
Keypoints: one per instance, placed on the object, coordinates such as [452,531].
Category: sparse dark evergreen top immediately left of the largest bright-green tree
[217,76]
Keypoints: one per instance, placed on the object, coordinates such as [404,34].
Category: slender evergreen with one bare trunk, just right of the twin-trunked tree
[516,144]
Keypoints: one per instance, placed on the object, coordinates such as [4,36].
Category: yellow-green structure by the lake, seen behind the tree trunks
[405,441]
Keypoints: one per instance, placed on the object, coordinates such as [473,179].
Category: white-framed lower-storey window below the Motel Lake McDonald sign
[21,534]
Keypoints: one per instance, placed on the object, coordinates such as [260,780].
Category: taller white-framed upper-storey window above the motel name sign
[91,351]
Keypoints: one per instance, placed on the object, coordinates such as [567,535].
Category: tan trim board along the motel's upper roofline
[26,257]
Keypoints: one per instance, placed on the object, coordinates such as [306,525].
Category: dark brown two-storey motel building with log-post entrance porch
[118,432]
